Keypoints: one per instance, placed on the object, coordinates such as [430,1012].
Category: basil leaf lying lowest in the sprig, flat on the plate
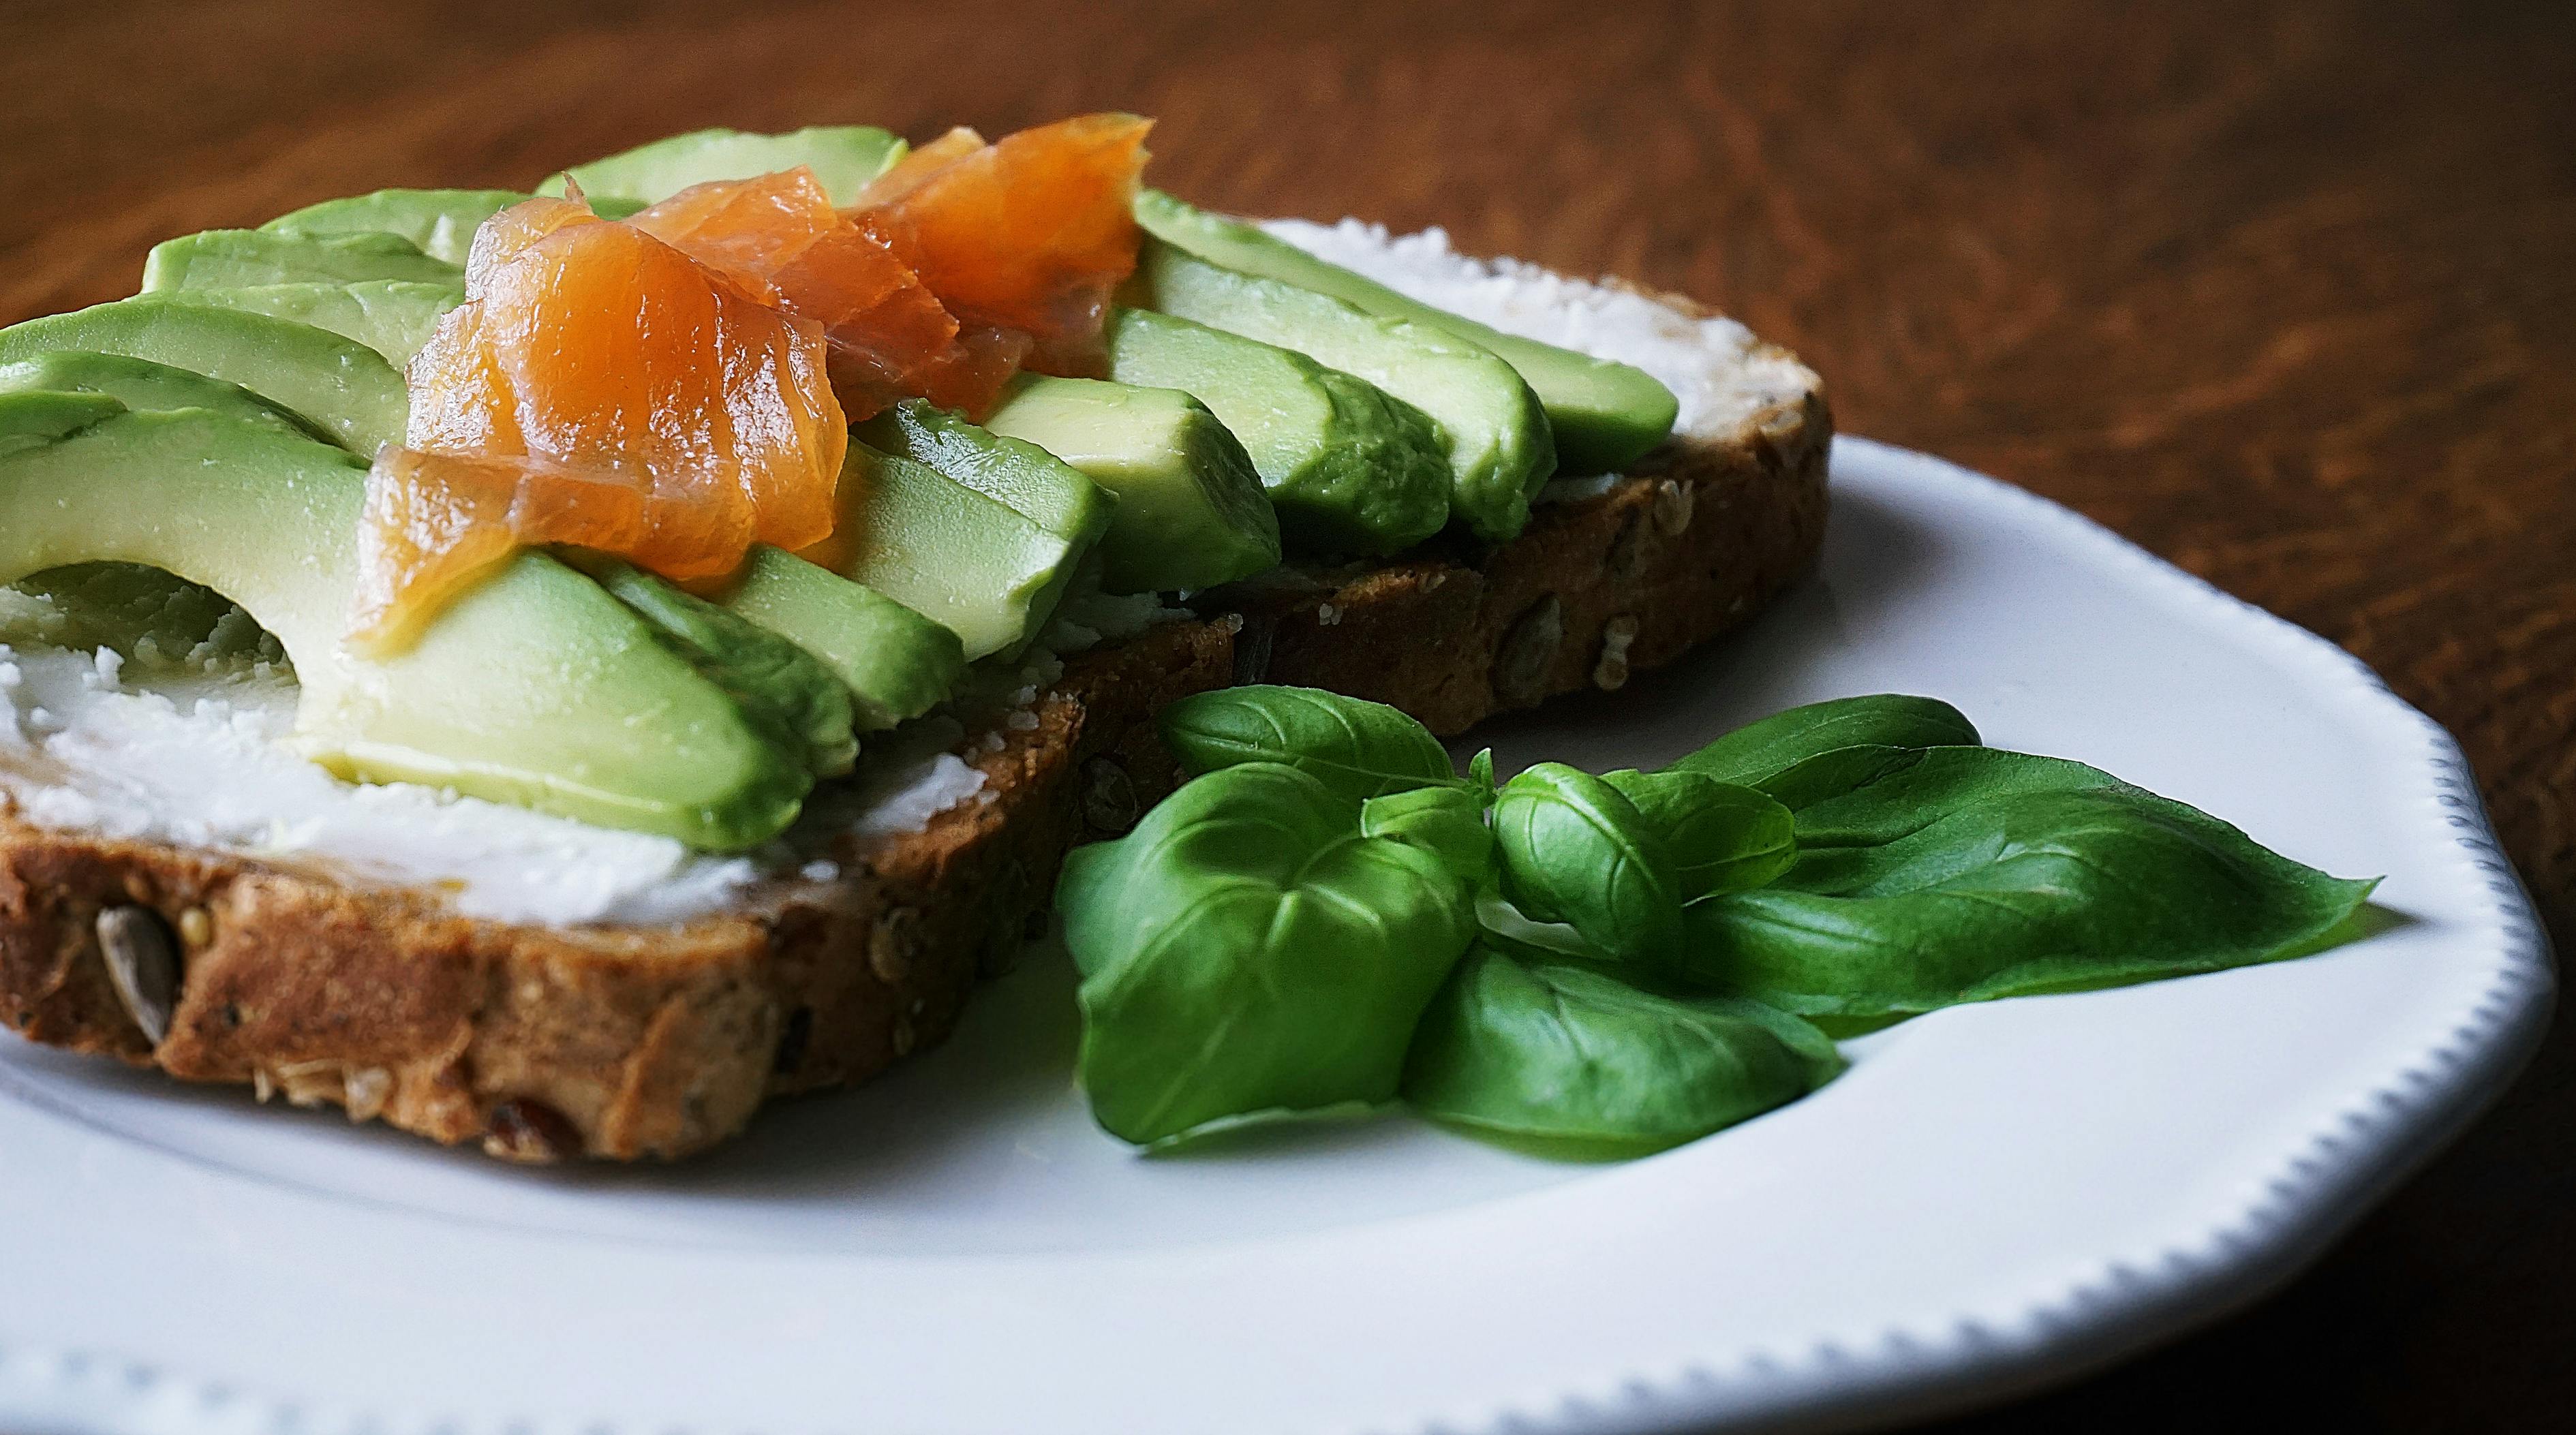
[1578,1060]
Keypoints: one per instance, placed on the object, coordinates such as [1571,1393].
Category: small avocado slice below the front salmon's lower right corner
[893,661]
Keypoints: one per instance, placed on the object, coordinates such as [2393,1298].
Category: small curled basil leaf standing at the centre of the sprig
[1578,851]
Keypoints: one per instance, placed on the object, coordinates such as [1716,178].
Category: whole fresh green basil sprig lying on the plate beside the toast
[1614,965]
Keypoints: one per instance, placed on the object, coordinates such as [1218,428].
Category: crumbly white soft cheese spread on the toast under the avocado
[205,759]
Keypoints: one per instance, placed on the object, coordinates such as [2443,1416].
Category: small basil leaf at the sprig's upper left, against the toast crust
[1354,746]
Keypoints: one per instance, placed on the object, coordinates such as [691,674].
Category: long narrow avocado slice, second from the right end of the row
[1498,437]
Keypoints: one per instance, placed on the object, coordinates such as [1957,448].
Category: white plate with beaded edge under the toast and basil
[1993,1197]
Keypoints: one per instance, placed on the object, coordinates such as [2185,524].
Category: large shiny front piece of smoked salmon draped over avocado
[596,388]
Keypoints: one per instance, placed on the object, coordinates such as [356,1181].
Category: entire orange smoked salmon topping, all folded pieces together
[679,388]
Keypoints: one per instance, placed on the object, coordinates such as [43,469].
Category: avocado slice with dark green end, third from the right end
[1351,470]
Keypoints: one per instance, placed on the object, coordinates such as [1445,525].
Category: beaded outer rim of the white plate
[2114,1310]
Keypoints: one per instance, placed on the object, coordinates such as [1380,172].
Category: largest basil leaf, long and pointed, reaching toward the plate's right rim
[1964,875]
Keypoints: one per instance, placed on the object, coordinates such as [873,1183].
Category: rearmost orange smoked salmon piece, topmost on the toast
[1029,233]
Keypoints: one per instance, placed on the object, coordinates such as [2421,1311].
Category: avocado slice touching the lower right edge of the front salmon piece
[965,560]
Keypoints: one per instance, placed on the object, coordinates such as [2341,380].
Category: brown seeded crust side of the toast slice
[658,1042]
